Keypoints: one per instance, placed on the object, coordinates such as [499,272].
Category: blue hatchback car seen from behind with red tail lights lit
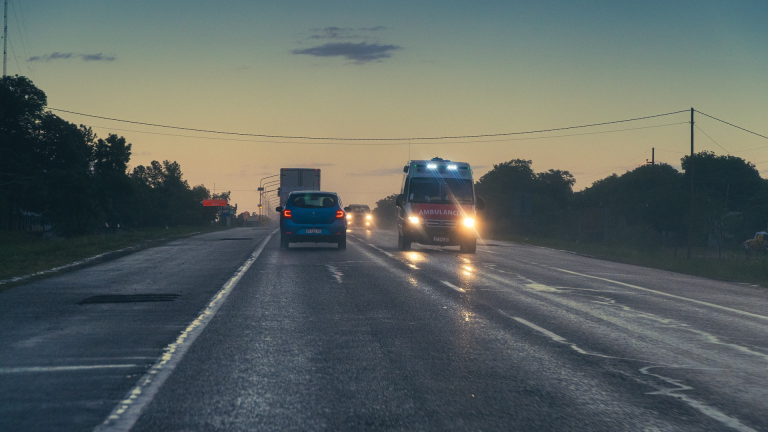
[314,217]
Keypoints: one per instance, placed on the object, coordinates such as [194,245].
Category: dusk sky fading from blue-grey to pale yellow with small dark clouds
[398,69]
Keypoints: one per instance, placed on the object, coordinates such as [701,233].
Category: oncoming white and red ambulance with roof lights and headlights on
[437,205]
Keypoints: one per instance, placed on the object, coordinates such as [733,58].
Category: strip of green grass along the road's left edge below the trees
[23,253]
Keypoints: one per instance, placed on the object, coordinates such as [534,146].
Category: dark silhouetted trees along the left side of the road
[78,181]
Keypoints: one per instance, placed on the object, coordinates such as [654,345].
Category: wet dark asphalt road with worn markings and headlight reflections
[371,338]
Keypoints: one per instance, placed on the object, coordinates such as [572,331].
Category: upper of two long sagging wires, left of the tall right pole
[367,139]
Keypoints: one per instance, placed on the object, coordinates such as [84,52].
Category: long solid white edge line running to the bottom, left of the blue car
[127,411]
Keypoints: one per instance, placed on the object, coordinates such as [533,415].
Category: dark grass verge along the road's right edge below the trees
[731,266]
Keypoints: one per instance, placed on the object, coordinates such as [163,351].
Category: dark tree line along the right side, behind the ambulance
[651,205]
